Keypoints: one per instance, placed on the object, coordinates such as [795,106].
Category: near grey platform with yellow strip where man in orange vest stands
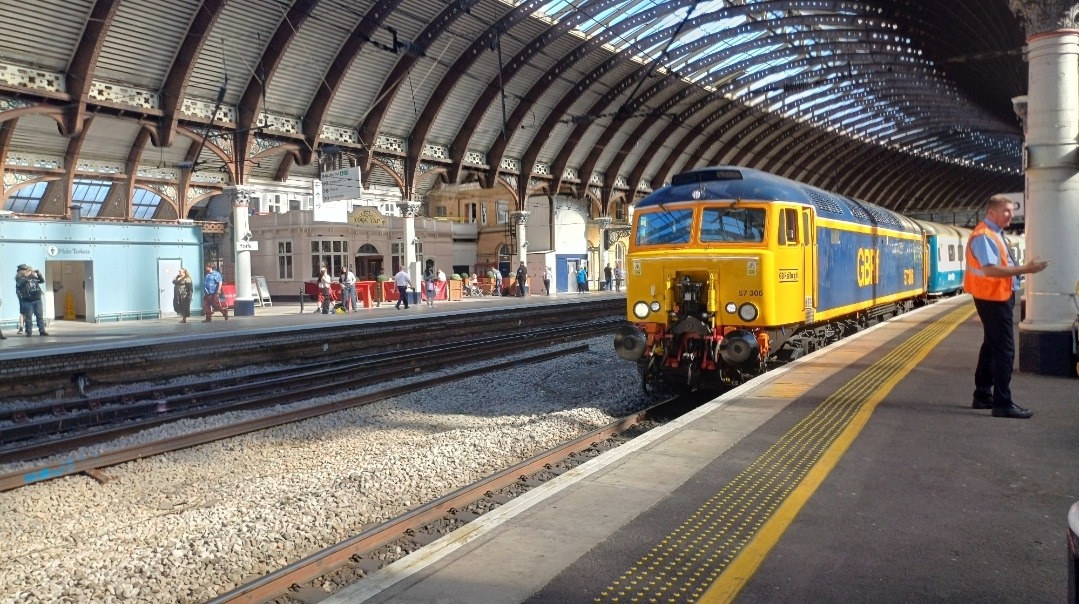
[857,474]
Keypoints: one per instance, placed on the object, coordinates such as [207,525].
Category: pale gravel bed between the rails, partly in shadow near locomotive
[192,525]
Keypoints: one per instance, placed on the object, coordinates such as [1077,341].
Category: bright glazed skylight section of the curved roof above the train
[759,56]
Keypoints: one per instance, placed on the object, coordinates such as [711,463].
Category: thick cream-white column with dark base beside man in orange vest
[1053,184]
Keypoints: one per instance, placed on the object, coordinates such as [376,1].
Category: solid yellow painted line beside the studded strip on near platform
[746,565]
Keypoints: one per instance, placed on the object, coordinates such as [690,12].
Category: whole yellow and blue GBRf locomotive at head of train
[734,270]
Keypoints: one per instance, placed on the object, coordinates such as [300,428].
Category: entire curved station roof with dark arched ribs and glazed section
[903,103]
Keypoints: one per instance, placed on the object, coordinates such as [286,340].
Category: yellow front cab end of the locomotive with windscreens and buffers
[716,260]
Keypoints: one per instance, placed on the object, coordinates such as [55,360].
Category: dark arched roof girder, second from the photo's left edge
[175,85]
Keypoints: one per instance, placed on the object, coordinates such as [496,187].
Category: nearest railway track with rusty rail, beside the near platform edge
[296,583]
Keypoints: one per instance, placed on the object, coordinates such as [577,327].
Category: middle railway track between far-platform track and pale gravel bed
[290,386]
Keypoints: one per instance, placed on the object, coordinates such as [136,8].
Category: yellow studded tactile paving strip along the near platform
[686,565]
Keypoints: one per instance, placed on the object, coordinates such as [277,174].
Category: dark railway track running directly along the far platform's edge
[40,377]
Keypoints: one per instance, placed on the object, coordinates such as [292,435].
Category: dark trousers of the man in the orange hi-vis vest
[998,354]
